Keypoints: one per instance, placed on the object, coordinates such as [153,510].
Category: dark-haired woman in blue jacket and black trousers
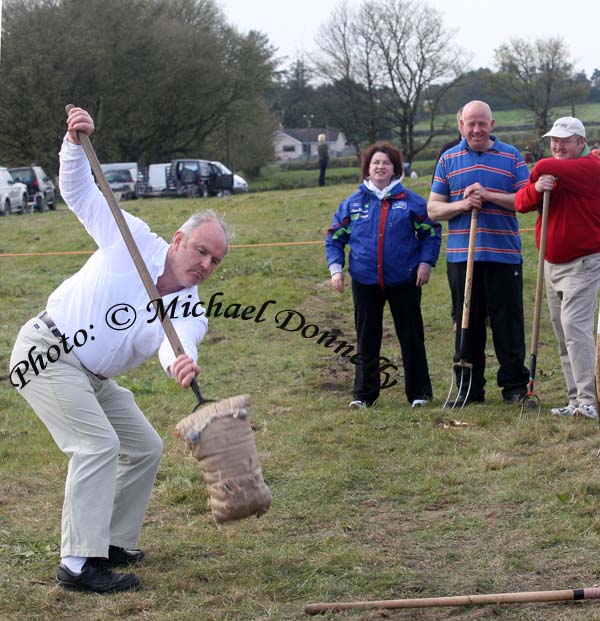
[393,246]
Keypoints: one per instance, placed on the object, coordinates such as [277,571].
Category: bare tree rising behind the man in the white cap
[537,76]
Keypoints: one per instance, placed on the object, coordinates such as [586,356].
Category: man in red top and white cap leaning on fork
[572,265]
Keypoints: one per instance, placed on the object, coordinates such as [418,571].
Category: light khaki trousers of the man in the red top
[572,292]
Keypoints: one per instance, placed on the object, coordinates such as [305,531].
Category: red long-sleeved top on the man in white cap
[574,214]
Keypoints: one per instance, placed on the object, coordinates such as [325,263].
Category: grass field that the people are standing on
[378,504]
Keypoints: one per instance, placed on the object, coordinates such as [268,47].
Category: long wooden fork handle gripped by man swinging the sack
[151,289]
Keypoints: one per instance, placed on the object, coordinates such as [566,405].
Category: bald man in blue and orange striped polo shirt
[483,173]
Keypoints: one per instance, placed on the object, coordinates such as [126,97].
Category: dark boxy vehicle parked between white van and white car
[197,178]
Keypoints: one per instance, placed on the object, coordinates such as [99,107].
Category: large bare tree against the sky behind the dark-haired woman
[400,55]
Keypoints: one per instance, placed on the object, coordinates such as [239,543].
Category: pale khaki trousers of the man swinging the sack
[114,451]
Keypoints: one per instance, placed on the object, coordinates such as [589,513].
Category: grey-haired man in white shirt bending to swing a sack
[97,324]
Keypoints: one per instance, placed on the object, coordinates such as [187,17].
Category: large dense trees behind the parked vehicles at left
[161,77]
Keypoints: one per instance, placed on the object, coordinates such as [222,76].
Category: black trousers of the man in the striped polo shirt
[497,293]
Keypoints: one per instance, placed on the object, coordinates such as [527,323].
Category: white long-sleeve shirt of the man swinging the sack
[107,290]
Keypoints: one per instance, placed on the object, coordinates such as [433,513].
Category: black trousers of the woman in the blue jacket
[405,306]
